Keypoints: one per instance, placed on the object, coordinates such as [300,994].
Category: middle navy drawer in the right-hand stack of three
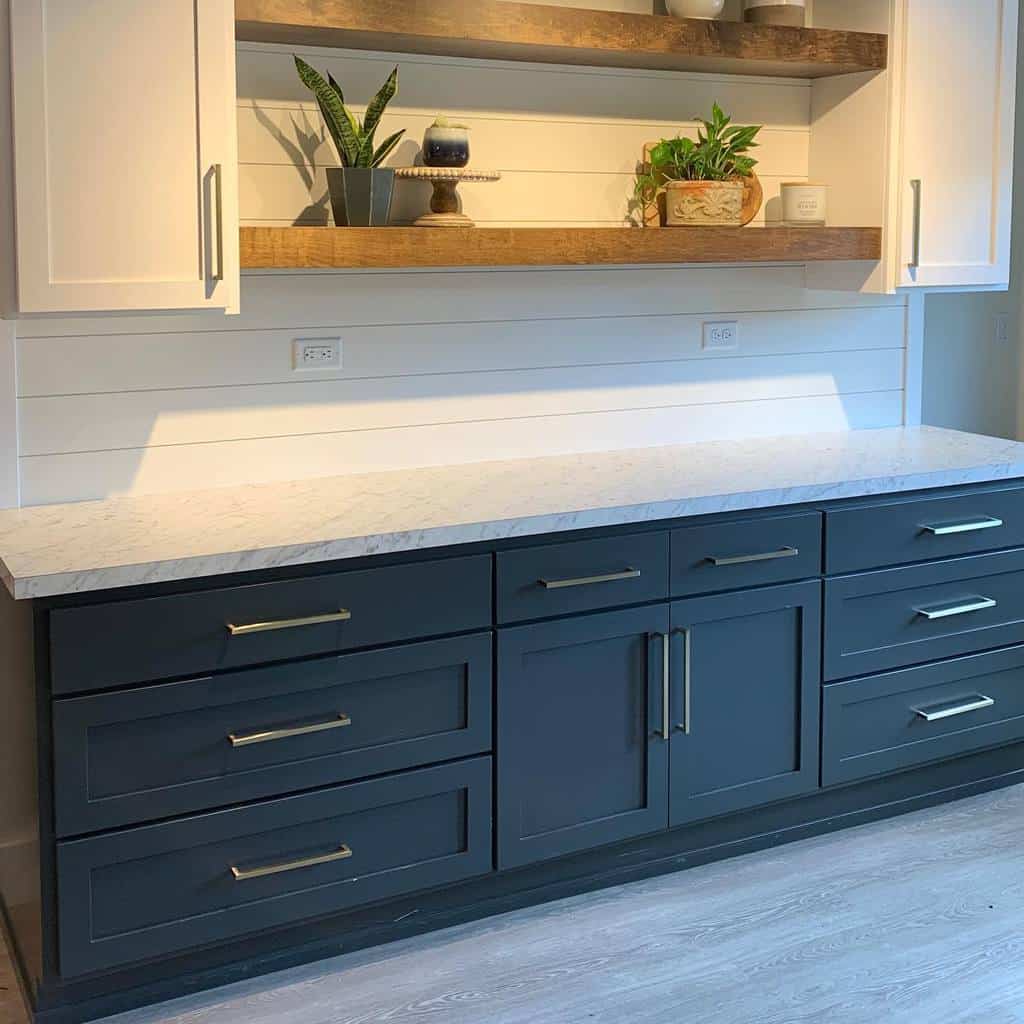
[898,618]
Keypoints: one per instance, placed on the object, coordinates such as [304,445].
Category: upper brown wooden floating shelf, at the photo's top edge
[507,31]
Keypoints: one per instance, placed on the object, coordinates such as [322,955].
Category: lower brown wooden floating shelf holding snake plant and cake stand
[266,248]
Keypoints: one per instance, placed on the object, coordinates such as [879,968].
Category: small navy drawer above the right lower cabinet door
[749,553]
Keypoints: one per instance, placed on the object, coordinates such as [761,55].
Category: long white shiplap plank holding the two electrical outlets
[148,362]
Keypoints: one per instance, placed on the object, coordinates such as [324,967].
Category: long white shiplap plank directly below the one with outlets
[190,416]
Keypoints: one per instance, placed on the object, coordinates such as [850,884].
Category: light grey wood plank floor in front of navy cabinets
[915,921]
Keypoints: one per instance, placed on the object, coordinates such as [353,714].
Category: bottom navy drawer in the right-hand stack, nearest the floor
[897,721]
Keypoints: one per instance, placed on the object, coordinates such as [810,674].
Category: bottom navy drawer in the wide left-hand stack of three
[167,888]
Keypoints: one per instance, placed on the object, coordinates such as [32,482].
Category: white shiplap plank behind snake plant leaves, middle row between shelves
[295,136]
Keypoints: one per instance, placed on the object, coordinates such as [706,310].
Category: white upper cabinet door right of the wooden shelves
[957,141]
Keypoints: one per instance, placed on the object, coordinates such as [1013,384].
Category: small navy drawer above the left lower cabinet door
[582,576]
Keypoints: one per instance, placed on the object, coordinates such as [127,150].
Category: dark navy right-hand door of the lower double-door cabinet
[746,700]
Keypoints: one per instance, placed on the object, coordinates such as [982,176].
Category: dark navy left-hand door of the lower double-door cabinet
[582,755]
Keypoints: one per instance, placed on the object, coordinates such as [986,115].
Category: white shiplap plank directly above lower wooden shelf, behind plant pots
[275,193]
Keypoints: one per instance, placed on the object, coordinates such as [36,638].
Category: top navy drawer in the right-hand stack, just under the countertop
[924,529]
